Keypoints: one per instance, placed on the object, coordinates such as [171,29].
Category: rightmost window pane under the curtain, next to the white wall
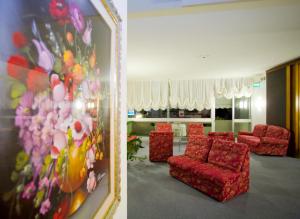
[242,108]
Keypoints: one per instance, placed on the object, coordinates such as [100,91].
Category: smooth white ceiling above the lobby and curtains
[211,41]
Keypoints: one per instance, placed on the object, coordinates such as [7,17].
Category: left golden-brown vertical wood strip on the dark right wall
[288,98]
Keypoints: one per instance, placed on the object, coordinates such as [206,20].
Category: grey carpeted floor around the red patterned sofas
[154,194]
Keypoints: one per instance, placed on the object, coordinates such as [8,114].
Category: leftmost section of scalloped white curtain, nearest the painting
[147,95]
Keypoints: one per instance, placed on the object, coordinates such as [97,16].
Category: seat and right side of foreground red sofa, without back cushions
[215,181]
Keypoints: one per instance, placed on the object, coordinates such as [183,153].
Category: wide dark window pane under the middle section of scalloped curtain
[183,113]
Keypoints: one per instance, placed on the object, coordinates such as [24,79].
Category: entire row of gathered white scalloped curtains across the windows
[185,94]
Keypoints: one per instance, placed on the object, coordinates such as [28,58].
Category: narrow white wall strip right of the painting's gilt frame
[121,212]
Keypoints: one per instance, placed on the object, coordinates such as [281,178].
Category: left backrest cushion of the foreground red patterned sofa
[198,147]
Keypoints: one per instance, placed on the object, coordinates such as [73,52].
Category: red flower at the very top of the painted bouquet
[59,10]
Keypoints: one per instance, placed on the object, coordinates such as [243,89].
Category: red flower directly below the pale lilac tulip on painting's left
[37,80]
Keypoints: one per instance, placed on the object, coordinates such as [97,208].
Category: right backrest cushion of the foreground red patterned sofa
[228,154]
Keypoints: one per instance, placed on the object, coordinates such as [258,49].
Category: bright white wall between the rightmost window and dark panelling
[258,104]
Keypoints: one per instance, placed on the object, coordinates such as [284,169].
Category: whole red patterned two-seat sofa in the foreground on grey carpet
[216,167]
